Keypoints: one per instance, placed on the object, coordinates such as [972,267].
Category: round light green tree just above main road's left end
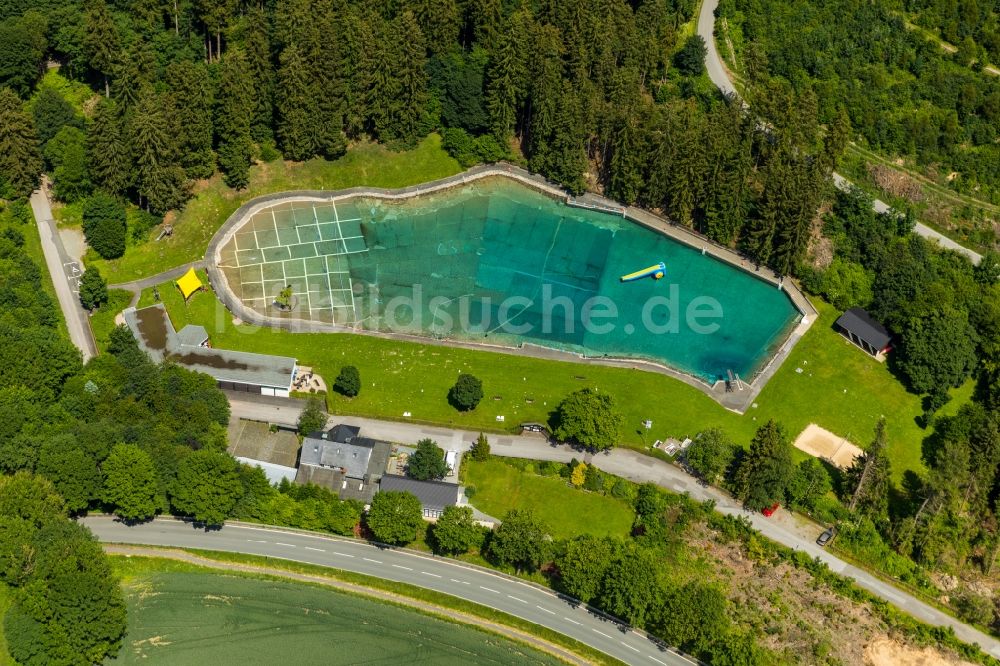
[130,483]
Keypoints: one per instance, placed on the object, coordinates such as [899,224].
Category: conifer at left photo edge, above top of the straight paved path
[20,159]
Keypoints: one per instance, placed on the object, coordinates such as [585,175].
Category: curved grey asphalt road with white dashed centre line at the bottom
[504,593]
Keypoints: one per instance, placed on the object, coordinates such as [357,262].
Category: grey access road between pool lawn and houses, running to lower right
[635,466]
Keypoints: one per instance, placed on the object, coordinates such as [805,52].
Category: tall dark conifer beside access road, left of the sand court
[766,470]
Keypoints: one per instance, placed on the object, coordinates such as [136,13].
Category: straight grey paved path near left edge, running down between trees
[65,273]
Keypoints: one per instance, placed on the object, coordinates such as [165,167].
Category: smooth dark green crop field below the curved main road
[181,614]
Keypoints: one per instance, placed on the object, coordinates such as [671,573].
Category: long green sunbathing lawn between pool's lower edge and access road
[839,388]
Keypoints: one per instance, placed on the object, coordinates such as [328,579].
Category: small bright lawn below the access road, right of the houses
[566,511]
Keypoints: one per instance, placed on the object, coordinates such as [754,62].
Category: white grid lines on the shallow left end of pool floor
[299,244]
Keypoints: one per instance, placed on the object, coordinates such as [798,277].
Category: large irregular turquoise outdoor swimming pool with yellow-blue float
[498,262]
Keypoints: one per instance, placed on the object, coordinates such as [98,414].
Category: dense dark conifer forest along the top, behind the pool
[601,95]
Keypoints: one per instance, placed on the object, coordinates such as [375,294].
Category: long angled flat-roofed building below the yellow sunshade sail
[232,370]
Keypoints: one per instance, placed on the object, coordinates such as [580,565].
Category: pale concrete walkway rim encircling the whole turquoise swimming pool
[739,399]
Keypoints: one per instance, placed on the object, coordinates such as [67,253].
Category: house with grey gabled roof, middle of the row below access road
[344,462]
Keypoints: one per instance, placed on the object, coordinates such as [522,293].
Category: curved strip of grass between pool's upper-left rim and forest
[194,226]
